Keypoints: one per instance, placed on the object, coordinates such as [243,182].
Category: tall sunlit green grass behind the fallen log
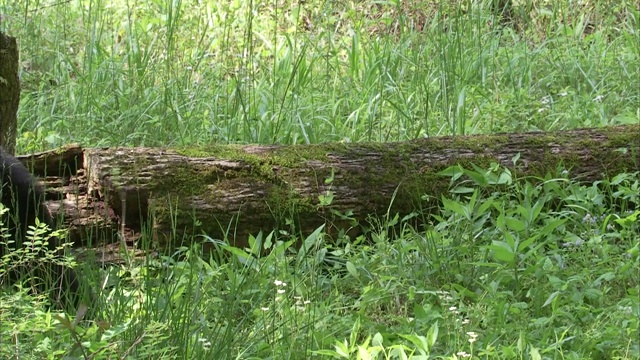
[175,73]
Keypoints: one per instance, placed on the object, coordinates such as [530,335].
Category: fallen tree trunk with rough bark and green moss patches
[230,192]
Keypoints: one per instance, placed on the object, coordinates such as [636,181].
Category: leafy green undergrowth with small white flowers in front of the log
[515,268]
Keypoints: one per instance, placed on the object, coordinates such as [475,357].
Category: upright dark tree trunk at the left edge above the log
[9,92]
